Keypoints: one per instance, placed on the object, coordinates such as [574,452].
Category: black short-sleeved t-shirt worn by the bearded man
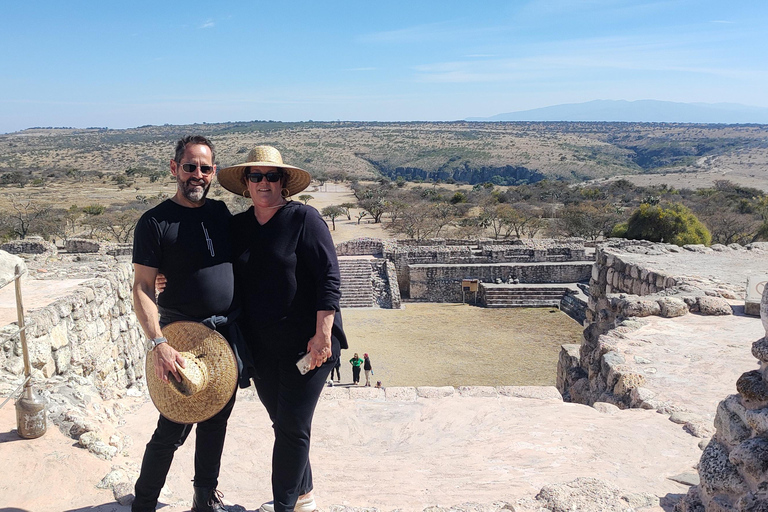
[190,246]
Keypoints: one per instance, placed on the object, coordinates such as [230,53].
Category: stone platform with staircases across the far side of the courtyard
[433,270]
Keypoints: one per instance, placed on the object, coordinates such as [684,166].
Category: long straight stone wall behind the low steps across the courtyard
[442,283]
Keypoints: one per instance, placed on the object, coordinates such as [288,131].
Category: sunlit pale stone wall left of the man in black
[86,349]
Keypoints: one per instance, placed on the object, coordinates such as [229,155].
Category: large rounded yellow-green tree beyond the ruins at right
[674,224]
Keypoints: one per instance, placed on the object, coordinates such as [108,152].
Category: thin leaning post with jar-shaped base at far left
[30,410]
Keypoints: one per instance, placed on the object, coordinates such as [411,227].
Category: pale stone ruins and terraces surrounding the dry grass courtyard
[663,405]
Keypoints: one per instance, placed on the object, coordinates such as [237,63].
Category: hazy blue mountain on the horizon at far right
[641,111]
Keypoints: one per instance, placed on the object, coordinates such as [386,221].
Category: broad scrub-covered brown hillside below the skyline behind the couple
[467,152]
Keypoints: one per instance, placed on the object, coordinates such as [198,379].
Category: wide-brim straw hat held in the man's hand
[208,381]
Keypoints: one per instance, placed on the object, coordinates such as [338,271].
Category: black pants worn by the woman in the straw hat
[290,399]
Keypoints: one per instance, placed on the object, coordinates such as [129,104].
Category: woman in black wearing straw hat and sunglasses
[287,279]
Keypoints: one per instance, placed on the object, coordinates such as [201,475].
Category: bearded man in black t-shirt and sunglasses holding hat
[186,239]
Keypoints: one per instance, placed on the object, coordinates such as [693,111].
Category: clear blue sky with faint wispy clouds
[126,64]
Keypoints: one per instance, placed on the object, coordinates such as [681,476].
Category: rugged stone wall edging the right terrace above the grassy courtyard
[619,292]
